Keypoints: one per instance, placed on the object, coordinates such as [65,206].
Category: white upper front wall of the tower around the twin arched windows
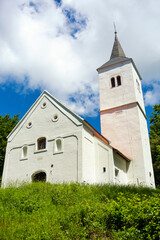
[117,96]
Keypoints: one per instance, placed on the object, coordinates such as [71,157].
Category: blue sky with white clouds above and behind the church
[58,45]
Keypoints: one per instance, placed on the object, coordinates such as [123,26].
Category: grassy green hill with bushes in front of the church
[43,211]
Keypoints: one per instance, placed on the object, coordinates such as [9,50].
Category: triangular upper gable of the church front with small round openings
[47,117]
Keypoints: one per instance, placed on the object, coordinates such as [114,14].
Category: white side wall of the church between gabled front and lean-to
[97,155]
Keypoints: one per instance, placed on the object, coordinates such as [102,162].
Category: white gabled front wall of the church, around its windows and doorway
[66,164]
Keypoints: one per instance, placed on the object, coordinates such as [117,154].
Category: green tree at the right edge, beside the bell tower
[155,141]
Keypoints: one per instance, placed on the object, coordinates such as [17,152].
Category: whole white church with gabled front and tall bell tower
[51,143]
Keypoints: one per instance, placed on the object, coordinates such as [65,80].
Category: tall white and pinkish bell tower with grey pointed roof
[122,113]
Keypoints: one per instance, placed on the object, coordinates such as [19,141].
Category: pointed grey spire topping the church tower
[117,50]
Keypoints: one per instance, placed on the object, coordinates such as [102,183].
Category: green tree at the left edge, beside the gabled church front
[6,125]
